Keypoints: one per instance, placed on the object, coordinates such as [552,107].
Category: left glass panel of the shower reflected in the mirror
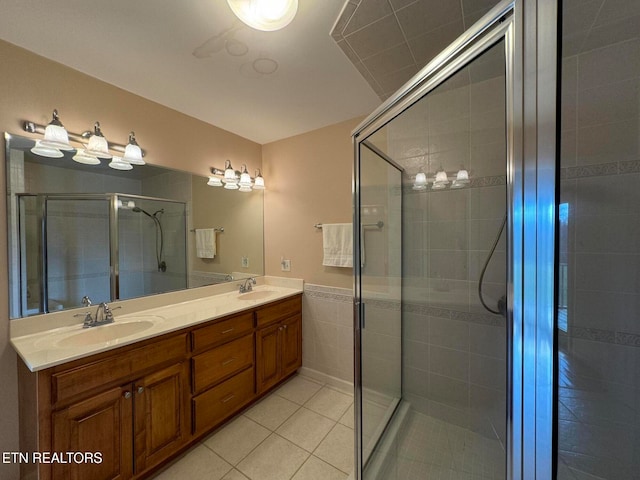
[77,252]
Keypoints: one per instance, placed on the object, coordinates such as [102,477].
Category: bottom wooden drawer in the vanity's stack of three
[213,406]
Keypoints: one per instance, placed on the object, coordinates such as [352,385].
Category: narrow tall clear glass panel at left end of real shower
[380,253]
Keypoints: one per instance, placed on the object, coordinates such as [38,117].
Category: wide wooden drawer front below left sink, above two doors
[116,369]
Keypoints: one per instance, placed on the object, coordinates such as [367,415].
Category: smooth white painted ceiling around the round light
[196,57]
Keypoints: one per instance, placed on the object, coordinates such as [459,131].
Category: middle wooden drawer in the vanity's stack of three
[221,362]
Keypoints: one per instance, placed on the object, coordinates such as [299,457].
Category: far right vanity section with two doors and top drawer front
[278,342]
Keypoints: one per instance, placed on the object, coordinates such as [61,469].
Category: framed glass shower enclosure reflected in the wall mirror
[103,247]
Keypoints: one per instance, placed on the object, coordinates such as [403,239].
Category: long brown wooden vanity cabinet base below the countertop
[140,405]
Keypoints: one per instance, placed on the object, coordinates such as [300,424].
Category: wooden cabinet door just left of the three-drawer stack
[161,423]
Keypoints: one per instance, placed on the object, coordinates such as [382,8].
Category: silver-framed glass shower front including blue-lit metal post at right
[445,387]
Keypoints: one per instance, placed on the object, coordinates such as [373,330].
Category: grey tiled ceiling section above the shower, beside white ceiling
[388,41]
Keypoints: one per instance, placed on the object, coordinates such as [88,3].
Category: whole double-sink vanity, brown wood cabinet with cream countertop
[140,399]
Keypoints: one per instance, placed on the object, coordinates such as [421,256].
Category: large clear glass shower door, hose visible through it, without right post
[432,286]
